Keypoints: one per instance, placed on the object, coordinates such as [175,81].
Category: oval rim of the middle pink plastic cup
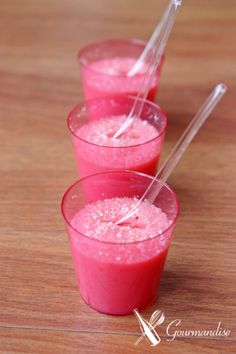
[160,109]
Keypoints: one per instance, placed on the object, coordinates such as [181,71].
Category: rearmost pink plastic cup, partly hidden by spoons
[98,83]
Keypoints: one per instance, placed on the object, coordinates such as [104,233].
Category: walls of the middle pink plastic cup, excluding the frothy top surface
[92,158]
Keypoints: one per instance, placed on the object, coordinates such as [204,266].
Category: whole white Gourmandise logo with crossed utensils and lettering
[173,329]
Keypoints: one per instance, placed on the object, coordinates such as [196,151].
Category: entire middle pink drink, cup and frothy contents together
[93,125]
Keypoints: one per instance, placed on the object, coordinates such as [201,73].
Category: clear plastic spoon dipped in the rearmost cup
[151,43]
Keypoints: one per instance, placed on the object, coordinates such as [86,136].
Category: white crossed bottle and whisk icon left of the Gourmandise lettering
[148,327]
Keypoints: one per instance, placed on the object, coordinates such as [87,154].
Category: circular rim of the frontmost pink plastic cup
[173,222]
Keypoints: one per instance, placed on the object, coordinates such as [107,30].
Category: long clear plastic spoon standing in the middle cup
[154,61]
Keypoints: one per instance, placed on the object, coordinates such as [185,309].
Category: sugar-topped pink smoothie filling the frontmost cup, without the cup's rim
[119,266]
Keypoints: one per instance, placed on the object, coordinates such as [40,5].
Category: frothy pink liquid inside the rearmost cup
[109,77]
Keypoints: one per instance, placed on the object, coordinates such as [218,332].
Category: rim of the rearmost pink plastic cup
[111,41]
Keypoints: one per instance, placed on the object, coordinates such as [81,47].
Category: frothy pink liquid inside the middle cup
[136,149]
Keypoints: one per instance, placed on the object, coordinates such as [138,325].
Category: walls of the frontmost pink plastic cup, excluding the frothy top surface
[115,277]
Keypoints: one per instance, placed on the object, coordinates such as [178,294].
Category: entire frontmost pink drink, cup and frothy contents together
[119,268]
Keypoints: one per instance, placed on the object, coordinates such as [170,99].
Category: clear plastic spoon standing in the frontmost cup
[162,175]
